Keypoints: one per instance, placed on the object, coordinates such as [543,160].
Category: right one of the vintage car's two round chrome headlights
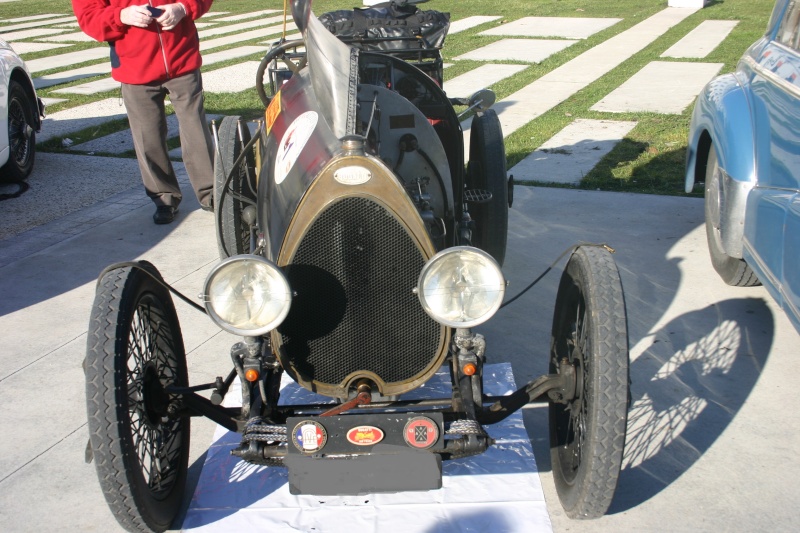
[461,287]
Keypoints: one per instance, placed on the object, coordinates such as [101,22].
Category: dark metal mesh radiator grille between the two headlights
[354,310]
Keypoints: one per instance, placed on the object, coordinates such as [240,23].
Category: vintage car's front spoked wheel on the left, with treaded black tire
[139,441]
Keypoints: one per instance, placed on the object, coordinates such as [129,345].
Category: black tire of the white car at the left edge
[21,134]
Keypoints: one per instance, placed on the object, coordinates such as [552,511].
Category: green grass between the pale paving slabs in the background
[649,160]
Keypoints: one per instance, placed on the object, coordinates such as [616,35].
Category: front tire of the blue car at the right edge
[732,270]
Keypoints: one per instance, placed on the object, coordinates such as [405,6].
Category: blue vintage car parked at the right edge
[744,144]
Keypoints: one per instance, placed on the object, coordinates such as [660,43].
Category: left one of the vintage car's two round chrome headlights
[247,295]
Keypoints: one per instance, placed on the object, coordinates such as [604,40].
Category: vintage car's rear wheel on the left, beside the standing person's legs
[234,187]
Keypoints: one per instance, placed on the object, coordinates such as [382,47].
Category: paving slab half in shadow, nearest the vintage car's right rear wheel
[571,153]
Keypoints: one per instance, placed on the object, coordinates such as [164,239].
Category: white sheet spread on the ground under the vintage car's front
[496,491]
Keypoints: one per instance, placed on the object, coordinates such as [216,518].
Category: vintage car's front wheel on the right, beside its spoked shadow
[587,431]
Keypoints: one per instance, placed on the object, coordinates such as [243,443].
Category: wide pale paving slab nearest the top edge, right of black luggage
[565,27]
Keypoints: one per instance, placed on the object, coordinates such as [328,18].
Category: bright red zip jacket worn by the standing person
[144,55]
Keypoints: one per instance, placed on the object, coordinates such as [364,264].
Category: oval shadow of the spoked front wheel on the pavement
[687,388]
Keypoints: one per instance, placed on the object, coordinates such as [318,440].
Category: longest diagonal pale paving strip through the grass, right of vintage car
[556,86]
